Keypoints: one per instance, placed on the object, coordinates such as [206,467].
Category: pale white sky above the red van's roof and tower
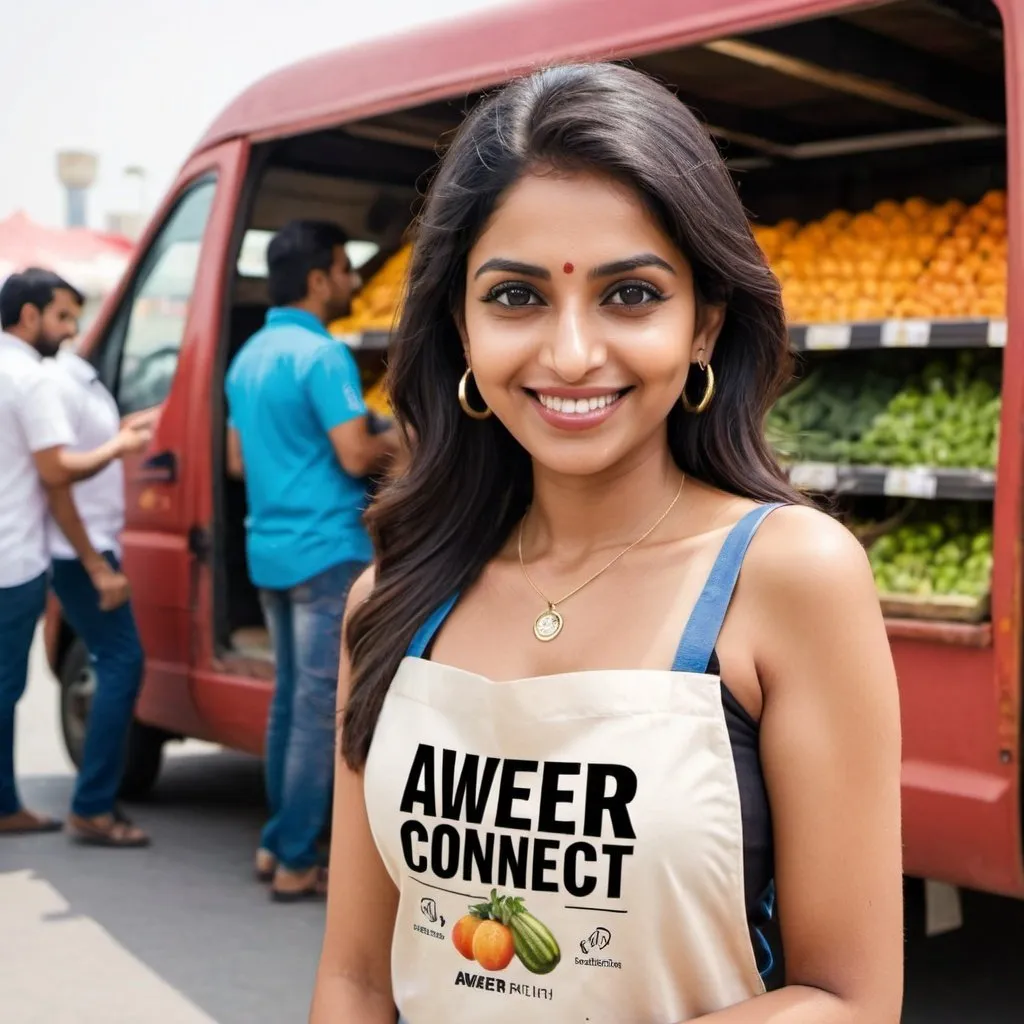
[139,81]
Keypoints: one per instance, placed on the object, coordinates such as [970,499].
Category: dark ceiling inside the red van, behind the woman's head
[905,99]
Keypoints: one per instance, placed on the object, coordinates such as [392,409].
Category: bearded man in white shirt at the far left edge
[38,313]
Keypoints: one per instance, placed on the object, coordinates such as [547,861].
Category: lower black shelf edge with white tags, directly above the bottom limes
[903,482]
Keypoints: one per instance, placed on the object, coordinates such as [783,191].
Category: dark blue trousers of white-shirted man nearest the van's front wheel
[113,644]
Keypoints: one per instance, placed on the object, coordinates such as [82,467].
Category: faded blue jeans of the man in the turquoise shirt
[306,628]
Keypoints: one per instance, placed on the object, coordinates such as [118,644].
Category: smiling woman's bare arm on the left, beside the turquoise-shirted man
[354,983]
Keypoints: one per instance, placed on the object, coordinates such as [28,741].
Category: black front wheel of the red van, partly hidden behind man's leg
[146,744]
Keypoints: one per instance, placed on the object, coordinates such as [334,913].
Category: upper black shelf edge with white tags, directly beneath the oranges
[900,334]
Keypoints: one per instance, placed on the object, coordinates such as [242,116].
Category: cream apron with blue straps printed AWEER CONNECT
[607,801]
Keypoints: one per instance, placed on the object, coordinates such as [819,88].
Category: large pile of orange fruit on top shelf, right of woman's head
[911,260]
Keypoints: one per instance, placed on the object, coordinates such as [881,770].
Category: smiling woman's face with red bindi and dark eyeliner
[581,322]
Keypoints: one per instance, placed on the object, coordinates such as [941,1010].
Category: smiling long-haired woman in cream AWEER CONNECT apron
[654,763]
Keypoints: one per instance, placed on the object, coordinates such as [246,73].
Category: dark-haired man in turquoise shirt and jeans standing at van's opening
[298,435]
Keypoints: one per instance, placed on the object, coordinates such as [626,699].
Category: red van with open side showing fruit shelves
[819,107]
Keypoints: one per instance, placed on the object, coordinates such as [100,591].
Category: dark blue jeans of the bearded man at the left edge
[21,609]
